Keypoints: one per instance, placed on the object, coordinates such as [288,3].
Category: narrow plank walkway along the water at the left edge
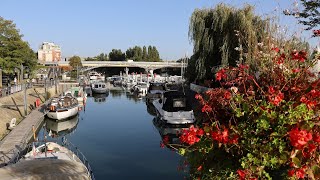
[17,140]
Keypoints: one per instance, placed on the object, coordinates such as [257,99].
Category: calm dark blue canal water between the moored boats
[120,139]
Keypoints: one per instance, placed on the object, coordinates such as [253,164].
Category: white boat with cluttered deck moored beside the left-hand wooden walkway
[62,107]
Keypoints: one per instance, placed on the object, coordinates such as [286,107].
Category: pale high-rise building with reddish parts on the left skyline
[49,52]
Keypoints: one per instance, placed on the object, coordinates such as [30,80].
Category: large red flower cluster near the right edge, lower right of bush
[299,138]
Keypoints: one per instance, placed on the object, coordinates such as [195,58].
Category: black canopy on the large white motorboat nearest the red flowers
[175,101]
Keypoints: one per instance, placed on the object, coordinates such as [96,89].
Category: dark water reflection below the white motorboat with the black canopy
[170,133]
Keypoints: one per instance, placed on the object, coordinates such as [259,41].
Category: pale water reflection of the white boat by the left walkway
[61,128]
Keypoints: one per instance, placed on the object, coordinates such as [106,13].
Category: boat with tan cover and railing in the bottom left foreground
[49,161]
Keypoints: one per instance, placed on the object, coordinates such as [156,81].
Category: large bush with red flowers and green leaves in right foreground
[264,122]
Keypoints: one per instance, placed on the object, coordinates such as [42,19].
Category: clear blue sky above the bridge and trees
[87,28]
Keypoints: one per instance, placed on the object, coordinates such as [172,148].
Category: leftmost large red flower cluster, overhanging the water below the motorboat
[191,135]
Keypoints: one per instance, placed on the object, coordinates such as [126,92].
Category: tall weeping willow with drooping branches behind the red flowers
[223,36]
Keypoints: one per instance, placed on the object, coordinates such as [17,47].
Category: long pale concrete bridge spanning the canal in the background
[148,66]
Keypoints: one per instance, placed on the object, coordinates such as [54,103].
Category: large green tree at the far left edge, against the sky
[14,52]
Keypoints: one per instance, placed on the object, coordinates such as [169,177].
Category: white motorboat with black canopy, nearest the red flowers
[173,108]
